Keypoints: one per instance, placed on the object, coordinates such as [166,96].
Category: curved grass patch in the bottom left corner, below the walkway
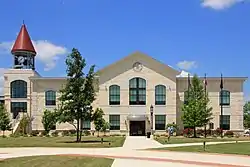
[56,161]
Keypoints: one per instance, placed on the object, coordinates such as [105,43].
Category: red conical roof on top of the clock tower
[23,41]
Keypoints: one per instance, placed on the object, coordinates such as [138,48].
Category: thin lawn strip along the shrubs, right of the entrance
[178,140]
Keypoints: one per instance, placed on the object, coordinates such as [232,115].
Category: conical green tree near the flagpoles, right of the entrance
[196,112]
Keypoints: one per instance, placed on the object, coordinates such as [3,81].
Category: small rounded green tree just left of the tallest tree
[49,120]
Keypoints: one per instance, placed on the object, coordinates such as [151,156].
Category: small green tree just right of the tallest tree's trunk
[99,121]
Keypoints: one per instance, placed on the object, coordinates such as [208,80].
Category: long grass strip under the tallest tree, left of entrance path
[67,141]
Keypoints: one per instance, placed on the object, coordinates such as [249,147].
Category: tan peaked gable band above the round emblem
[126,63]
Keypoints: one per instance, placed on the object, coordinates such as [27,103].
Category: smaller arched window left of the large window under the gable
[114,95]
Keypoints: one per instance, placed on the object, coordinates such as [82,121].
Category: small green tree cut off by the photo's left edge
[5,123]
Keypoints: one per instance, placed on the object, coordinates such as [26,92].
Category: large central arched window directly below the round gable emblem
[137,91]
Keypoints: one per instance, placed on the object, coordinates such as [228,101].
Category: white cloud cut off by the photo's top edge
[219,4]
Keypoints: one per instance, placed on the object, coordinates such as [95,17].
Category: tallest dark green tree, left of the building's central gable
[78,93]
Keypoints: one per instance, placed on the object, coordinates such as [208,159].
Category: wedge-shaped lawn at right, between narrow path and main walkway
[232,148]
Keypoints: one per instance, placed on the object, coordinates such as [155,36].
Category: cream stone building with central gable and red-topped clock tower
[129,91]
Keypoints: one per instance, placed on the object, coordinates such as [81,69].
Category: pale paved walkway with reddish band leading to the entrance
[127,156]
